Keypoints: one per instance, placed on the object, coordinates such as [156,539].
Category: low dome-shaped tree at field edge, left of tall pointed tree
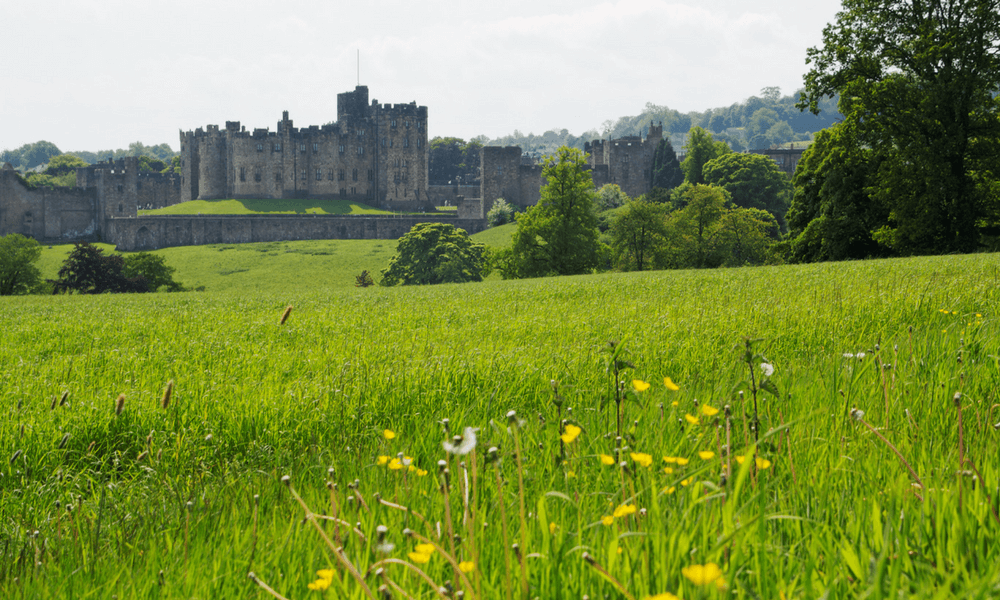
[435,253]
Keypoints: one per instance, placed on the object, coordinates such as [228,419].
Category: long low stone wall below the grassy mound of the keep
[149,233]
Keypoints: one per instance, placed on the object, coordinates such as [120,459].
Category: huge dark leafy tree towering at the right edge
[917,83]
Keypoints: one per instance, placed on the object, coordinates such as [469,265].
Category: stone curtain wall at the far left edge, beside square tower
[47,214]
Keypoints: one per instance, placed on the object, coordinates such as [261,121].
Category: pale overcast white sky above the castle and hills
[99,74]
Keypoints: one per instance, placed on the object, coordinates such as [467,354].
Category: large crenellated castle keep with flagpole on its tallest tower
[374,153]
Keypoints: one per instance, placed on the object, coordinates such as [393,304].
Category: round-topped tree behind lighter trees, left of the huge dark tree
[752,180]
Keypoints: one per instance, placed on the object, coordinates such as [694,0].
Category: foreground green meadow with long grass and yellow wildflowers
[144,498]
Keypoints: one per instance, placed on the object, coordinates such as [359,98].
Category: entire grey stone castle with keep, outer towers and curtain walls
[374,153]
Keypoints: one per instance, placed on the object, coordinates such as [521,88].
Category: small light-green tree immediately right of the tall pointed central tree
[638,236]
